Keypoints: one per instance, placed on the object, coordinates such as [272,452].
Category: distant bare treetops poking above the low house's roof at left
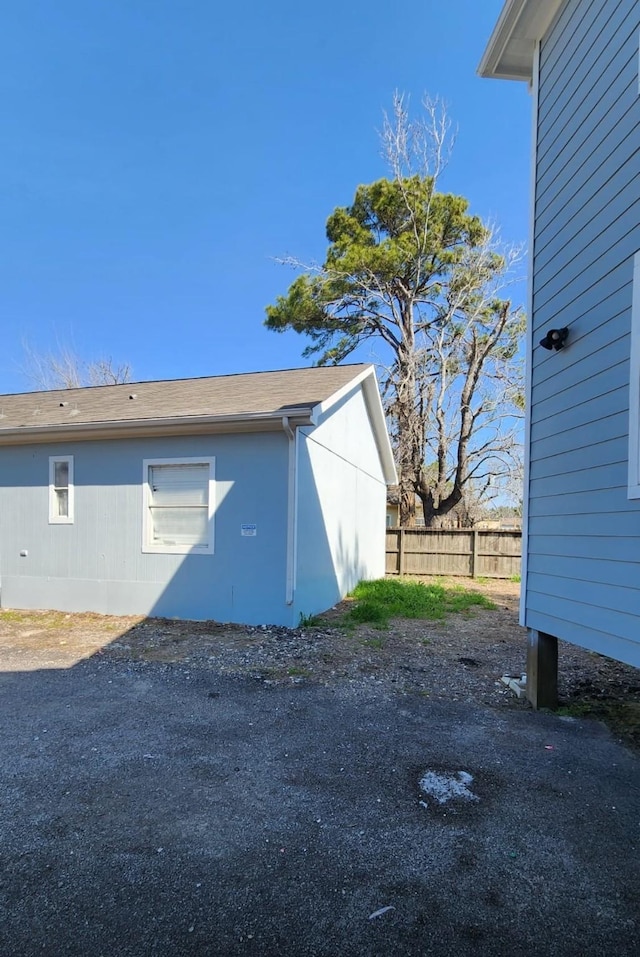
[64,369]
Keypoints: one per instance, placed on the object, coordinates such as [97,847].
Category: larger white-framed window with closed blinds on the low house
[178,502]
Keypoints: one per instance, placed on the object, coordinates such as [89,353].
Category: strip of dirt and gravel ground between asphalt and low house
[461,658]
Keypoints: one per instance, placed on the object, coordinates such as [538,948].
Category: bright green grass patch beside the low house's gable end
[378,601]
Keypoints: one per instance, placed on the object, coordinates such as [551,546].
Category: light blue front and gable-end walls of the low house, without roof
[318,530]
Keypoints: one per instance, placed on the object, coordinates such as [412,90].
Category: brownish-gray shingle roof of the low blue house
[256,393]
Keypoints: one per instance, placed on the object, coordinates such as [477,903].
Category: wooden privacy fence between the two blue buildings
[469,552]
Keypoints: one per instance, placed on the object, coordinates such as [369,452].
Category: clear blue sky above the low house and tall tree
[156,156]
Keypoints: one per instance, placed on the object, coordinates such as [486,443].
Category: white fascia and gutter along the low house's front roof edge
[138,428]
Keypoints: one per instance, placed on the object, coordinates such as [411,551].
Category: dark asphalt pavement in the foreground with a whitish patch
[160,811]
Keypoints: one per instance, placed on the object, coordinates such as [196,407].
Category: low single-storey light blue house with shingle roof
[250,498]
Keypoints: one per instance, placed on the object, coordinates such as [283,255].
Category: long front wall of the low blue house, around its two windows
[97,563]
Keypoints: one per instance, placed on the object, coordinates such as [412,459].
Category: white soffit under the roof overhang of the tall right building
[509,52]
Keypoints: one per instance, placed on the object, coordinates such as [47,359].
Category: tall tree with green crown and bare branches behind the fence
[410,267]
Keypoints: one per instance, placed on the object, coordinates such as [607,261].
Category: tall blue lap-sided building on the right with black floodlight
[581,578]
